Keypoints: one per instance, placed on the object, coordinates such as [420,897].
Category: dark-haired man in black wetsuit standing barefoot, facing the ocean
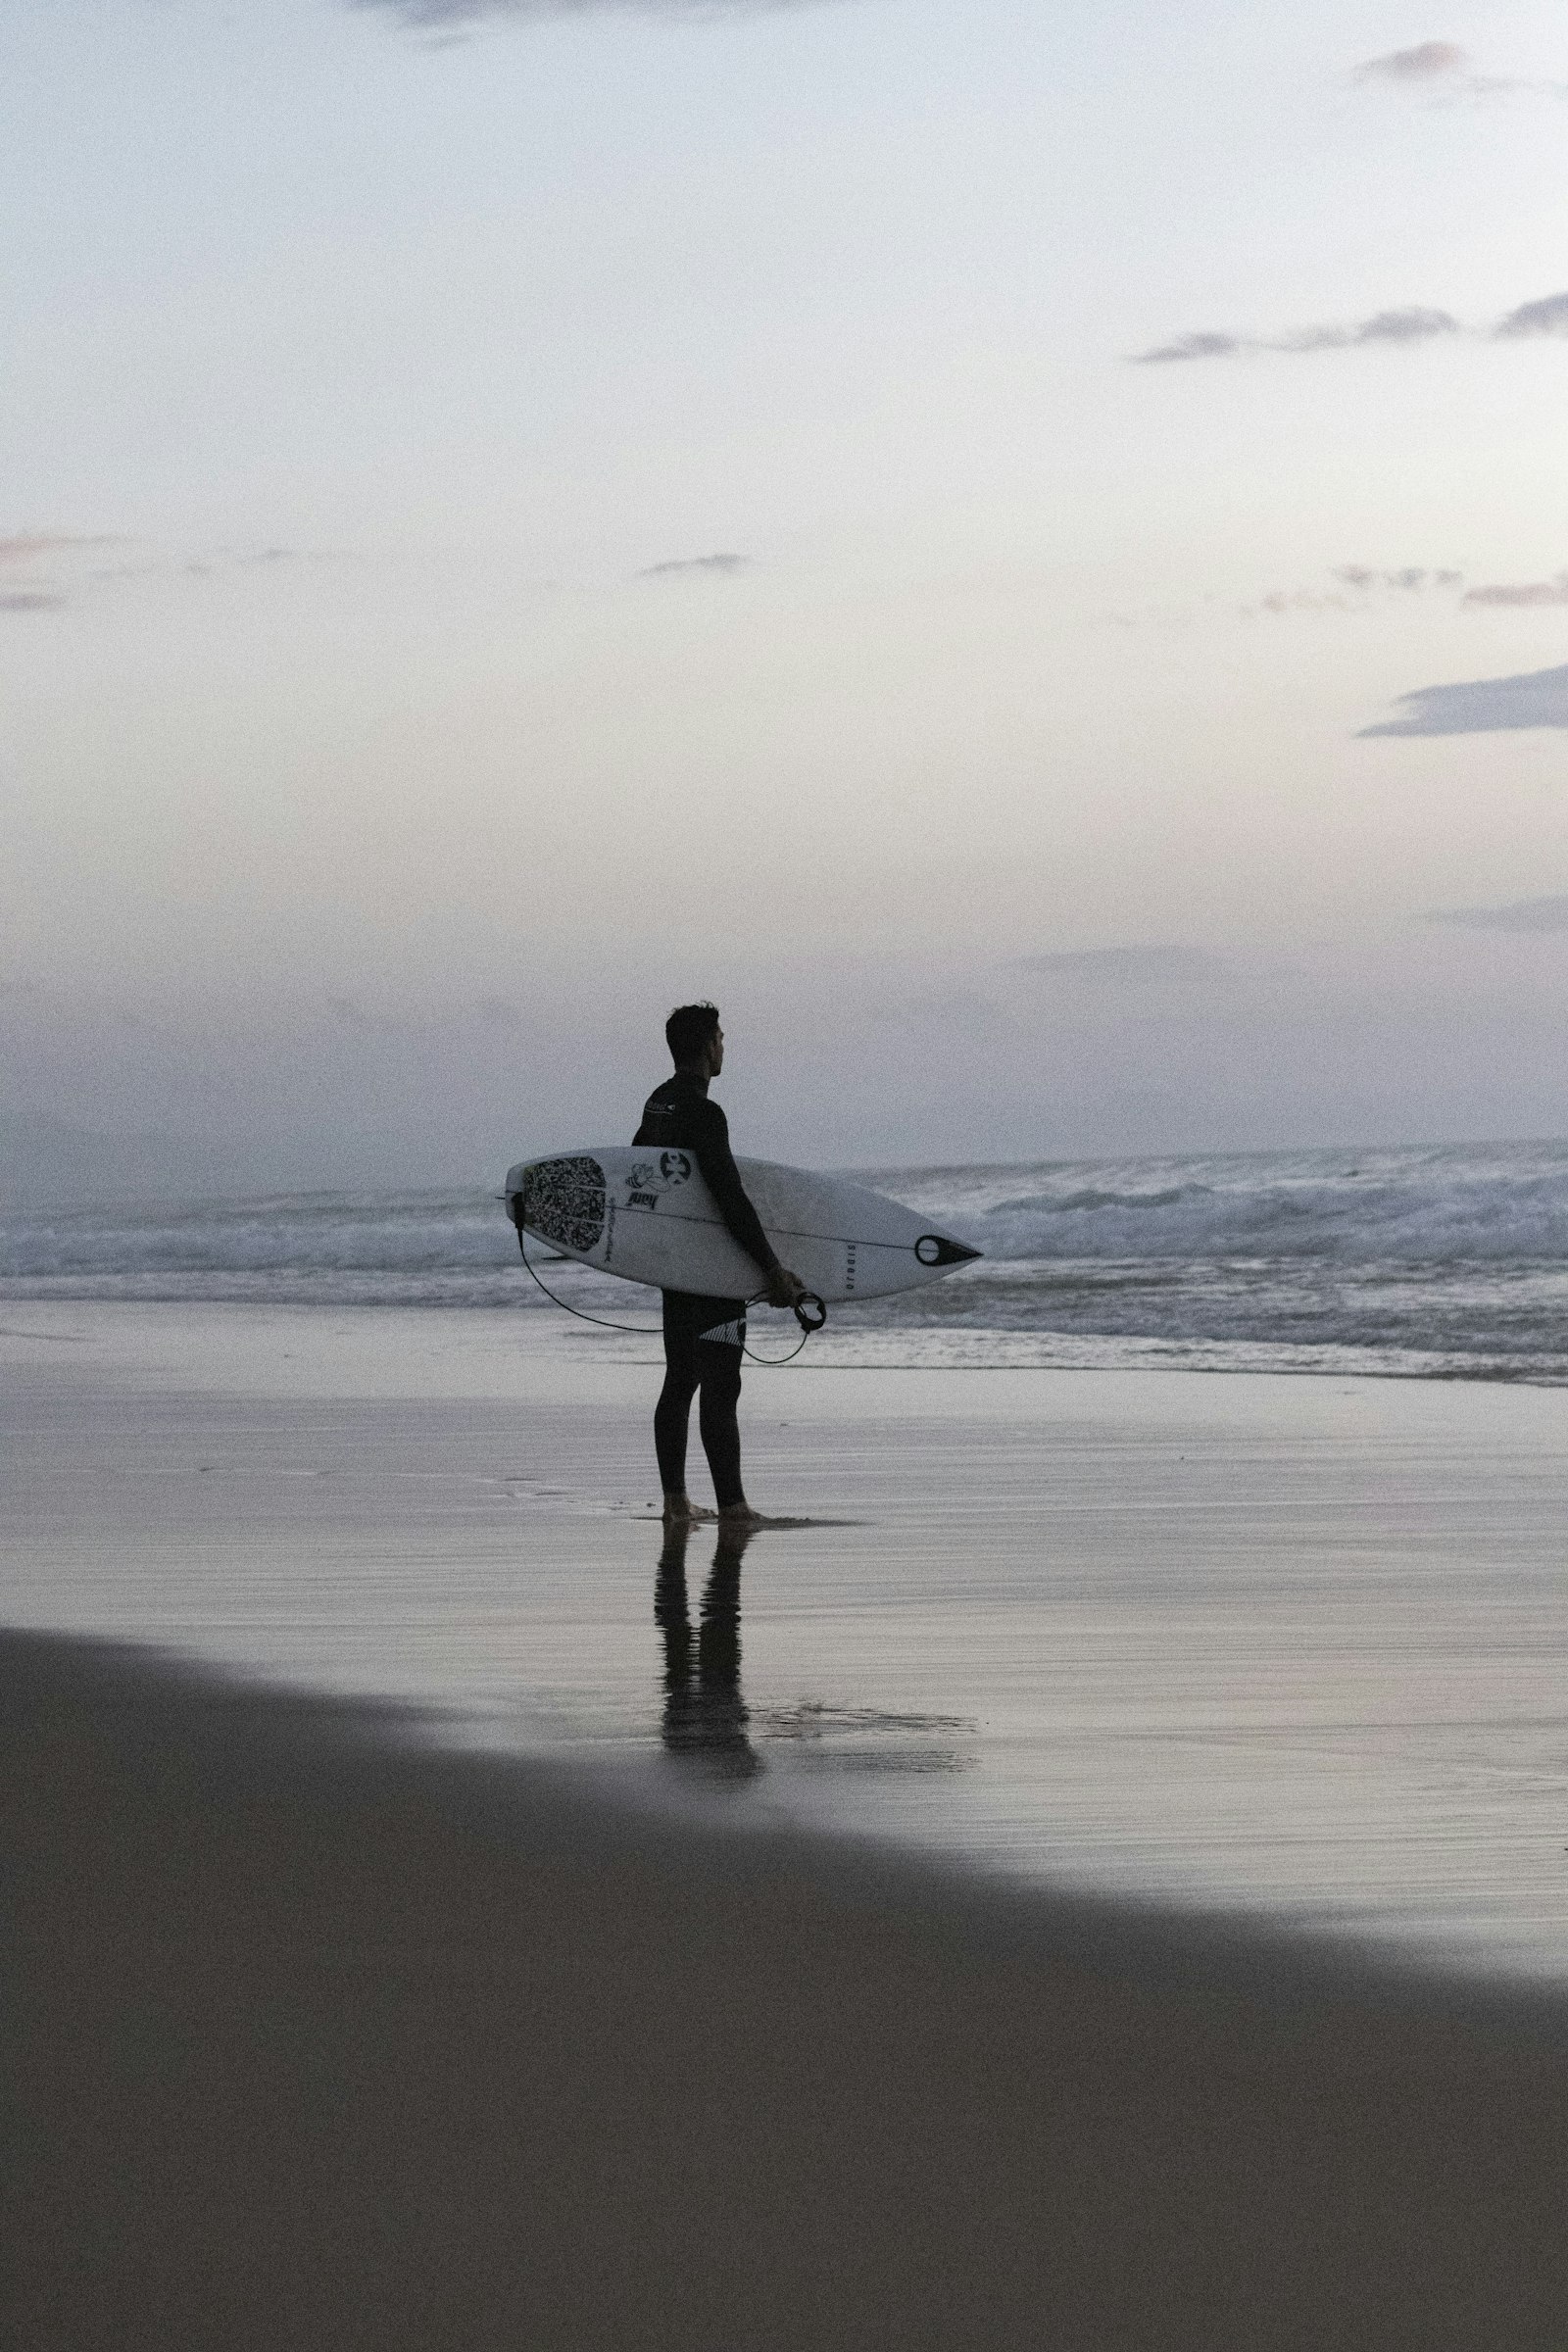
[704,1337]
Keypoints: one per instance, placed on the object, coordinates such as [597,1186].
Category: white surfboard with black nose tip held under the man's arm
[648,1215]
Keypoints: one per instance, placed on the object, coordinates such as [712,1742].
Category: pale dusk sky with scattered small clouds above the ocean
[1021,549]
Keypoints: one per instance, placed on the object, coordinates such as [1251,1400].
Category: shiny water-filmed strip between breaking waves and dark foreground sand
[1266,1643]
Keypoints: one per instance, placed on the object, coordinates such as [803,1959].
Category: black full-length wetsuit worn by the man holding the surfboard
[704,1337]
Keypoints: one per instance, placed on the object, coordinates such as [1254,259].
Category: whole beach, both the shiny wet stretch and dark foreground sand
[1101,1887]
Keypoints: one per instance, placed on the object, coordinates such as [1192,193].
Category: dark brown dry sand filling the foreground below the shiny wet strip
[330,2040]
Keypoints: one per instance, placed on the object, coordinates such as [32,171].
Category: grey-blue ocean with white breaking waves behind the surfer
[1442,1262]
